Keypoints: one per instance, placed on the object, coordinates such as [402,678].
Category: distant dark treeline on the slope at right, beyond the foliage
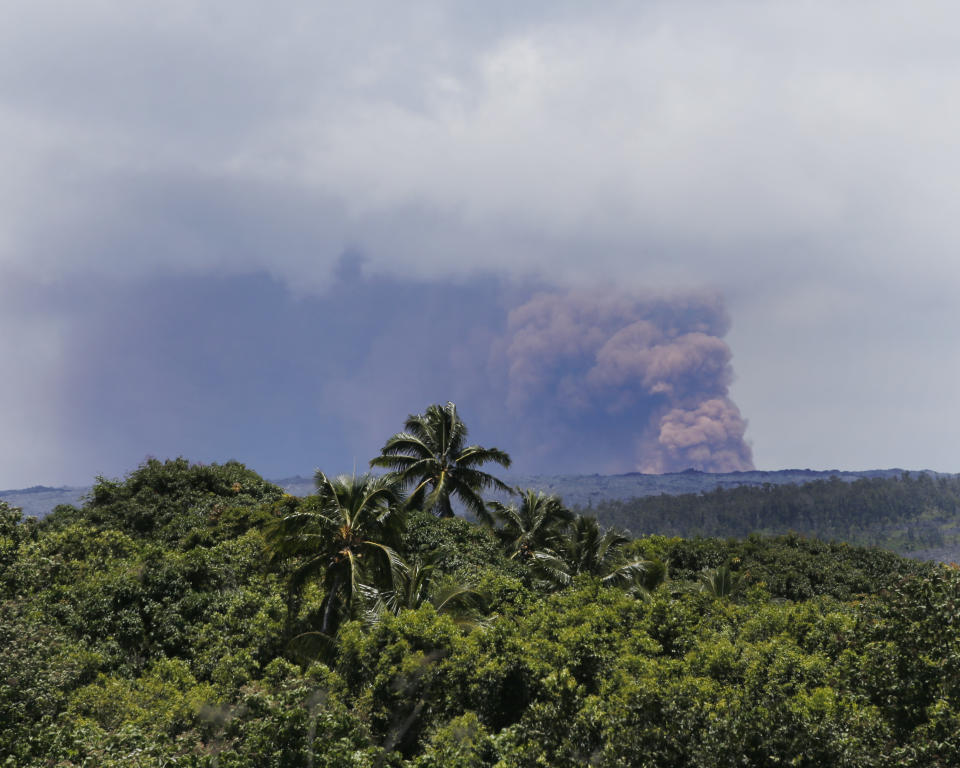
[907,513]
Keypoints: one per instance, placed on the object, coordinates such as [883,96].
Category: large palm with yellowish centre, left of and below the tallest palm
[345,534]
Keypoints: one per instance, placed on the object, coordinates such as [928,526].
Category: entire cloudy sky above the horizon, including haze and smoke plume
[620,236]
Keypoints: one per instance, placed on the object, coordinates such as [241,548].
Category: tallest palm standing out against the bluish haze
[432,456]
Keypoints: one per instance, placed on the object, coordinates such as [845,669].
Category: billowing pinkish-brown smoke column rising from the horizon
[626,383]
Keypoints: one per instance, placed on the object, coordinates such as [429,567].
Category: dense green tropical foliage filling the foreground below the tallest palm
[166,623]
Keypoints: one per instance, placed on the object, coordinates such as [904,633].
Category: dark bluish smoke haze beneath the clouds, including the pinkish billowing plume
[214,368]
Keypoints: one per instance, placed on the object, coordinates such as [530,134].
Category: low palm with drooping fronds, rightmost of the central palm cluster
[587,548]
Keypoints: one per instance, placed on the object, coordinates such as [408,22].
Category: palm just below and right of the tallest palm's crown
[537,524]
